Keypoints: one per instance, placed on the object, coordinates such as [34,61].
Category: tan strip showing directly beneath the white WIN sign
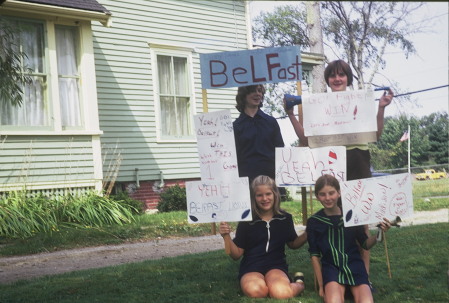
[342,139]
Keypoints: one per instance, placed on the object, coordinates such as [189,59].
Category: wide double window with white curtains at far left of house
[47,104]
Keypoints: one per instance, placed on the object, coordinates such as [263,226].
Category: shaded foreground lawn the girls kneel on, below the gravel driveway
[418,258]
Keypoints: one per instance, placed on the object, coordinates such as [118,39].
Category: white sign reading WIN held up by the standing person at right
[339,113]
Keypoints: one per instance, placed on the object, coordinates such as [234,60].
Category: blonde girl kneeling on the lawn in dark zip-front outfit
[263,268]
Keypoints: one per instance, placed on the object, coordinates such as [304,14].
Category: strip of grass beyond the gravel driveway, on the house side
[174,224]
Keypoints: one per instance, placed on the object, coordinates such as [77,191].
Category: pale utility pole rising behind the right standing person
[316,44]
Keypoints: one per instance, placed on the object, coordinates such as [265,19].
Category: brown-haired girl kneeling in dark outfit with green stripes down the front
[333,248]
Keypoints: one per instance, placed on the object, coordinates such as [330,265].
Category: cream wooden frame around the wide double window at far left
[89,118]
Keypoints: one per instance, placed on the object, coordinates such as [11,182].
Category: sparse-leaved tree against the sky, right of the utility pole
[362,30]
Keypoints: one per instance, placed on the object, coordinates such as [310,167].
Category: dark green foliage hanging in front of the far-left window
[13,75]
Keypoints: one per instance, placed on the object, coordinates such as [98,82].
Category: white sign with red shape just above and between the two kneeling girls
[299,166]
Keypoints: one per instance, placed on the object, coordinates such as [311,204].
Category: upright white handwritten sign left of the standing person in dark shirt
[216,146]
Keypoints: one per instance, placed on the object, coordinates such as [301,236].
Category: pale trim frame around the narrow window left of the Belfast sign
[181,52]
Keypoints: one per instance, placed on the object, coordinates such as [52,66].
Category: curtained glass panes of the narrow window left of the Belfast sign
[174,96]
